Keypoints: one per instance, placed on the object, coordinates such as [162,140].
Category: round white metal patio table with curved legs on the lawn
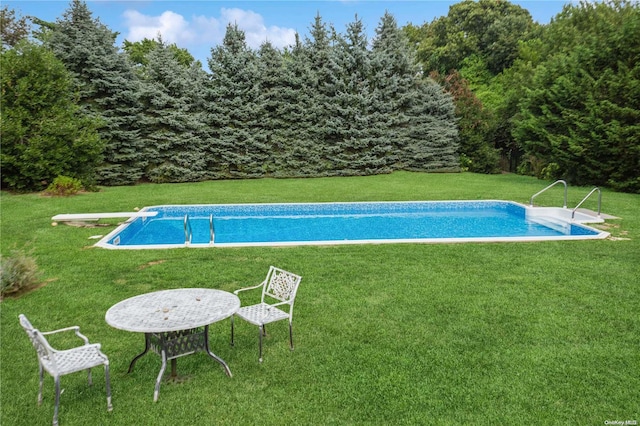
[174,322]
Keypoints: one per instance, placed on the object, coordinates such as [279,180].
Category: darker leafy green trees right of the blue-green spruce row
[557,101]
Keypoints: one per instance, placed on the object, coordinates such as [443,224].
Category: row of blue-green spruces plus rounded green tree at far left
[75,104]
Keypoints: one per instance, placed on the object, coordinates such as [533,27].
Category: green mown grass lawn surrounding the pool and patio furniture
[476,333]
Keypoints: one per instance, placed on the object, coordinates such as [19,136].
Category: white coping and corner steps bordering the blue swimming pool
[563,215]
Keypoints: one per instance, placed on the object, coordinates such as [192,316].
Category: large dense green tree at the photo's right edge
[579,118]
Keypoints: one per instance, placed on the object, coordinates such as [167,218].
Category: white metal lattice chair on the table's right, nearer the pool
[278,290]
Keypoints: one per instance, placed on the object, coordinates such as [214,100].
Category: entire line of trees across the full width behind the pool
[557,101]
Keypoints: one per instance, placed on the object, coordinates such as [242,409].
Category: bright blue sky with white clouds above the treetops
[200,25]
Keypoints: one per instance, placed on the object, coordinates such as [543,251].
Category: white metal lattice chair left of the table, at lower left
[61,362]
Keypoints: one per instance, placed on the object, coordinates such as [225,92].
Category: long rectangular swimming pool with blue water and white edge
[237,225]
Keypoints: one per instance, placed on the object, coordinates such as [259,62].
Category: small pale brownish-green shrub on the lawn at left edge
[17,272]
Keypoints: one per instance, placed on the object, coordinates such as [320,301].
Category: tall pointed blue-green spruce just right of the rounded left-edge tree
[107,88]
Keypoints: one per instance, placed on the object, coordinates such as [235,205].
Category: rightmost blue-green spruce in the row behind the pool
[419,117]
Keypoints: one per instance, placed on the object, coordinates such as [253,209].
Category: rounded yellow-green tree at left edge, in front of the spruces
[44,135]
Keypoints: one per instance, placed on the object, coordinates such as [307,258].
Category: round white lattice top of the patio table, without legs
[172,310]
